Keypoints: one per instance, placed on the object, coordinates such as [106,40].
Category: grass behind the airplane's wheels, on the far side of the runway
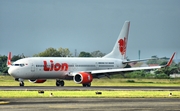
[9,81]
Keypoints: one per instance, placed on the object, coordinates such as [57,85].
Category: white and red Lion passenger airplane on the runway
[81,70]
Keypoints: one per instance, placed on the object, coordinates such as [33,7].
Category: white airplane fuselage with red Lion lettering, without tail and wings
[59,67]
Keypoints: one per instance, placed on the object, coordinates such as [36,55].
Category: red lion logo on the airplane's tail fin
[122,45]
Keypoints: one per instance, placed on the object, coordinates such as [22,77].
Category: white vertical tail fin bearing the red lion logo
[119,50]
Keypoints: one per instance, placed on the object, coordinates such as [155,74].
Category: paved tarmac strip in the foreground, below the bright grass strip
[91,104]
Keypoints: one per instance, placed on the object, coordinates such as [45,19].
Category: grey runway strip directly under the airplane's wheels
[49,88]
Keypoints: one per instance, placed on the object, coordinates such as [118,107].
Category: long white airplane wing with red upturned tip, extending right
[132,69]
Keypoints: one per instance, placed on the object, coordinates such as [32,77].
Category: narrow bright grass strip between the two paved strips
[90,94]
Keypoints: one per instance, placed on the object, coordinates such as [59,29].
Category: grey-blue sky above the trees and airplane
[32,26]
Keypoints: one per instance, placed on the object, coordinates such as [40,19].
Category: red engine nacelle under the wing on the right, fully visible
[83,78]
